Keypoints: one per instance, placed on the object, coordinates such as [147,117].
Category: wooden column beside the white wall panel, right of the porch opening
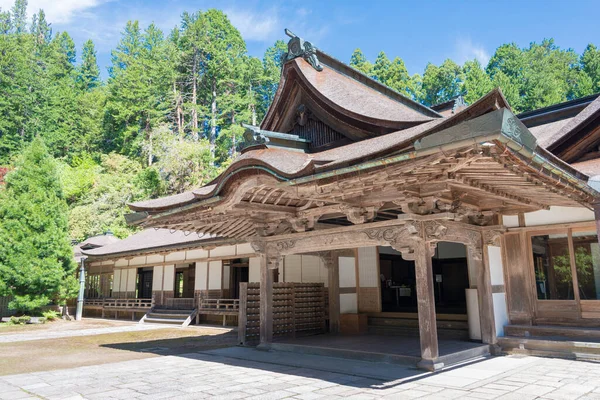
[481,264]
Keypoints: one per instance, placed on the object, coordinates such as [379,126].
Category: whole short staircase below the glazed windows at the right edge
[576,343]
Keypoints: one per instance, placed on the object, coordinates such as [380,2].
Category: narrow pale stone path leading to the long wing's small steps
[43,335]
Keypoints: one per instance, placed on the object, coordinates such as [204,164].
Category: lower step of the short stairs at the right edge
[572,349]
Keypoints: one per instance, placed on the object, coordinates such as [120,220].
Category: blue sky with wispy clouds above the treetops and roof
[418,31]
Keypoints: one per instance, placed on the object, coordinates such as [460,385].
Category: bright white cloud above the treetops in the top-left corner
[57,11]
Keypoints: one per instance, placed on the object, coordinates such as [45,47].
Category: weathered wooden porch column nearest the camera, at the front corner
[426,307]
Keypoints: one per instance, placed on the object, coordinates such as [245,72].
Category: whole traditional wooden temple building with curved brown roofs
[353,210]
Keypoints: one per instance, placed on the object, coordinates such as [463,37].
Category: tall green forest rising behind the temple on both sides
[168,116]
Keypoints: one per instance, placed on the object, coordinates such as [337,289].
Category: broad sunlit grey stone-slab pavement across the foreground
[202,375]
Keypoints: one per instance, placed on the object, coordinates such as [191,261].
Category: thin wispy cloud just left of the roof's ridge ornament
[259,26]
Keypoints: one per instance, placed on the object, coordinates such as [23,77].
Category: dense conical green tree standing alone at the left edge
[36,258]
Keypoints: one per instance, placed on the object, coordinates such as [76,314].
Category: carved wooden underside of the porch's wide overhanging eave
[486,165]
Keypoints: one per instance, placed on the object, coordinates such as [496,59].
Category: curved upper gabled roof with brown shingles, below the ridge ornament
[352,103]
